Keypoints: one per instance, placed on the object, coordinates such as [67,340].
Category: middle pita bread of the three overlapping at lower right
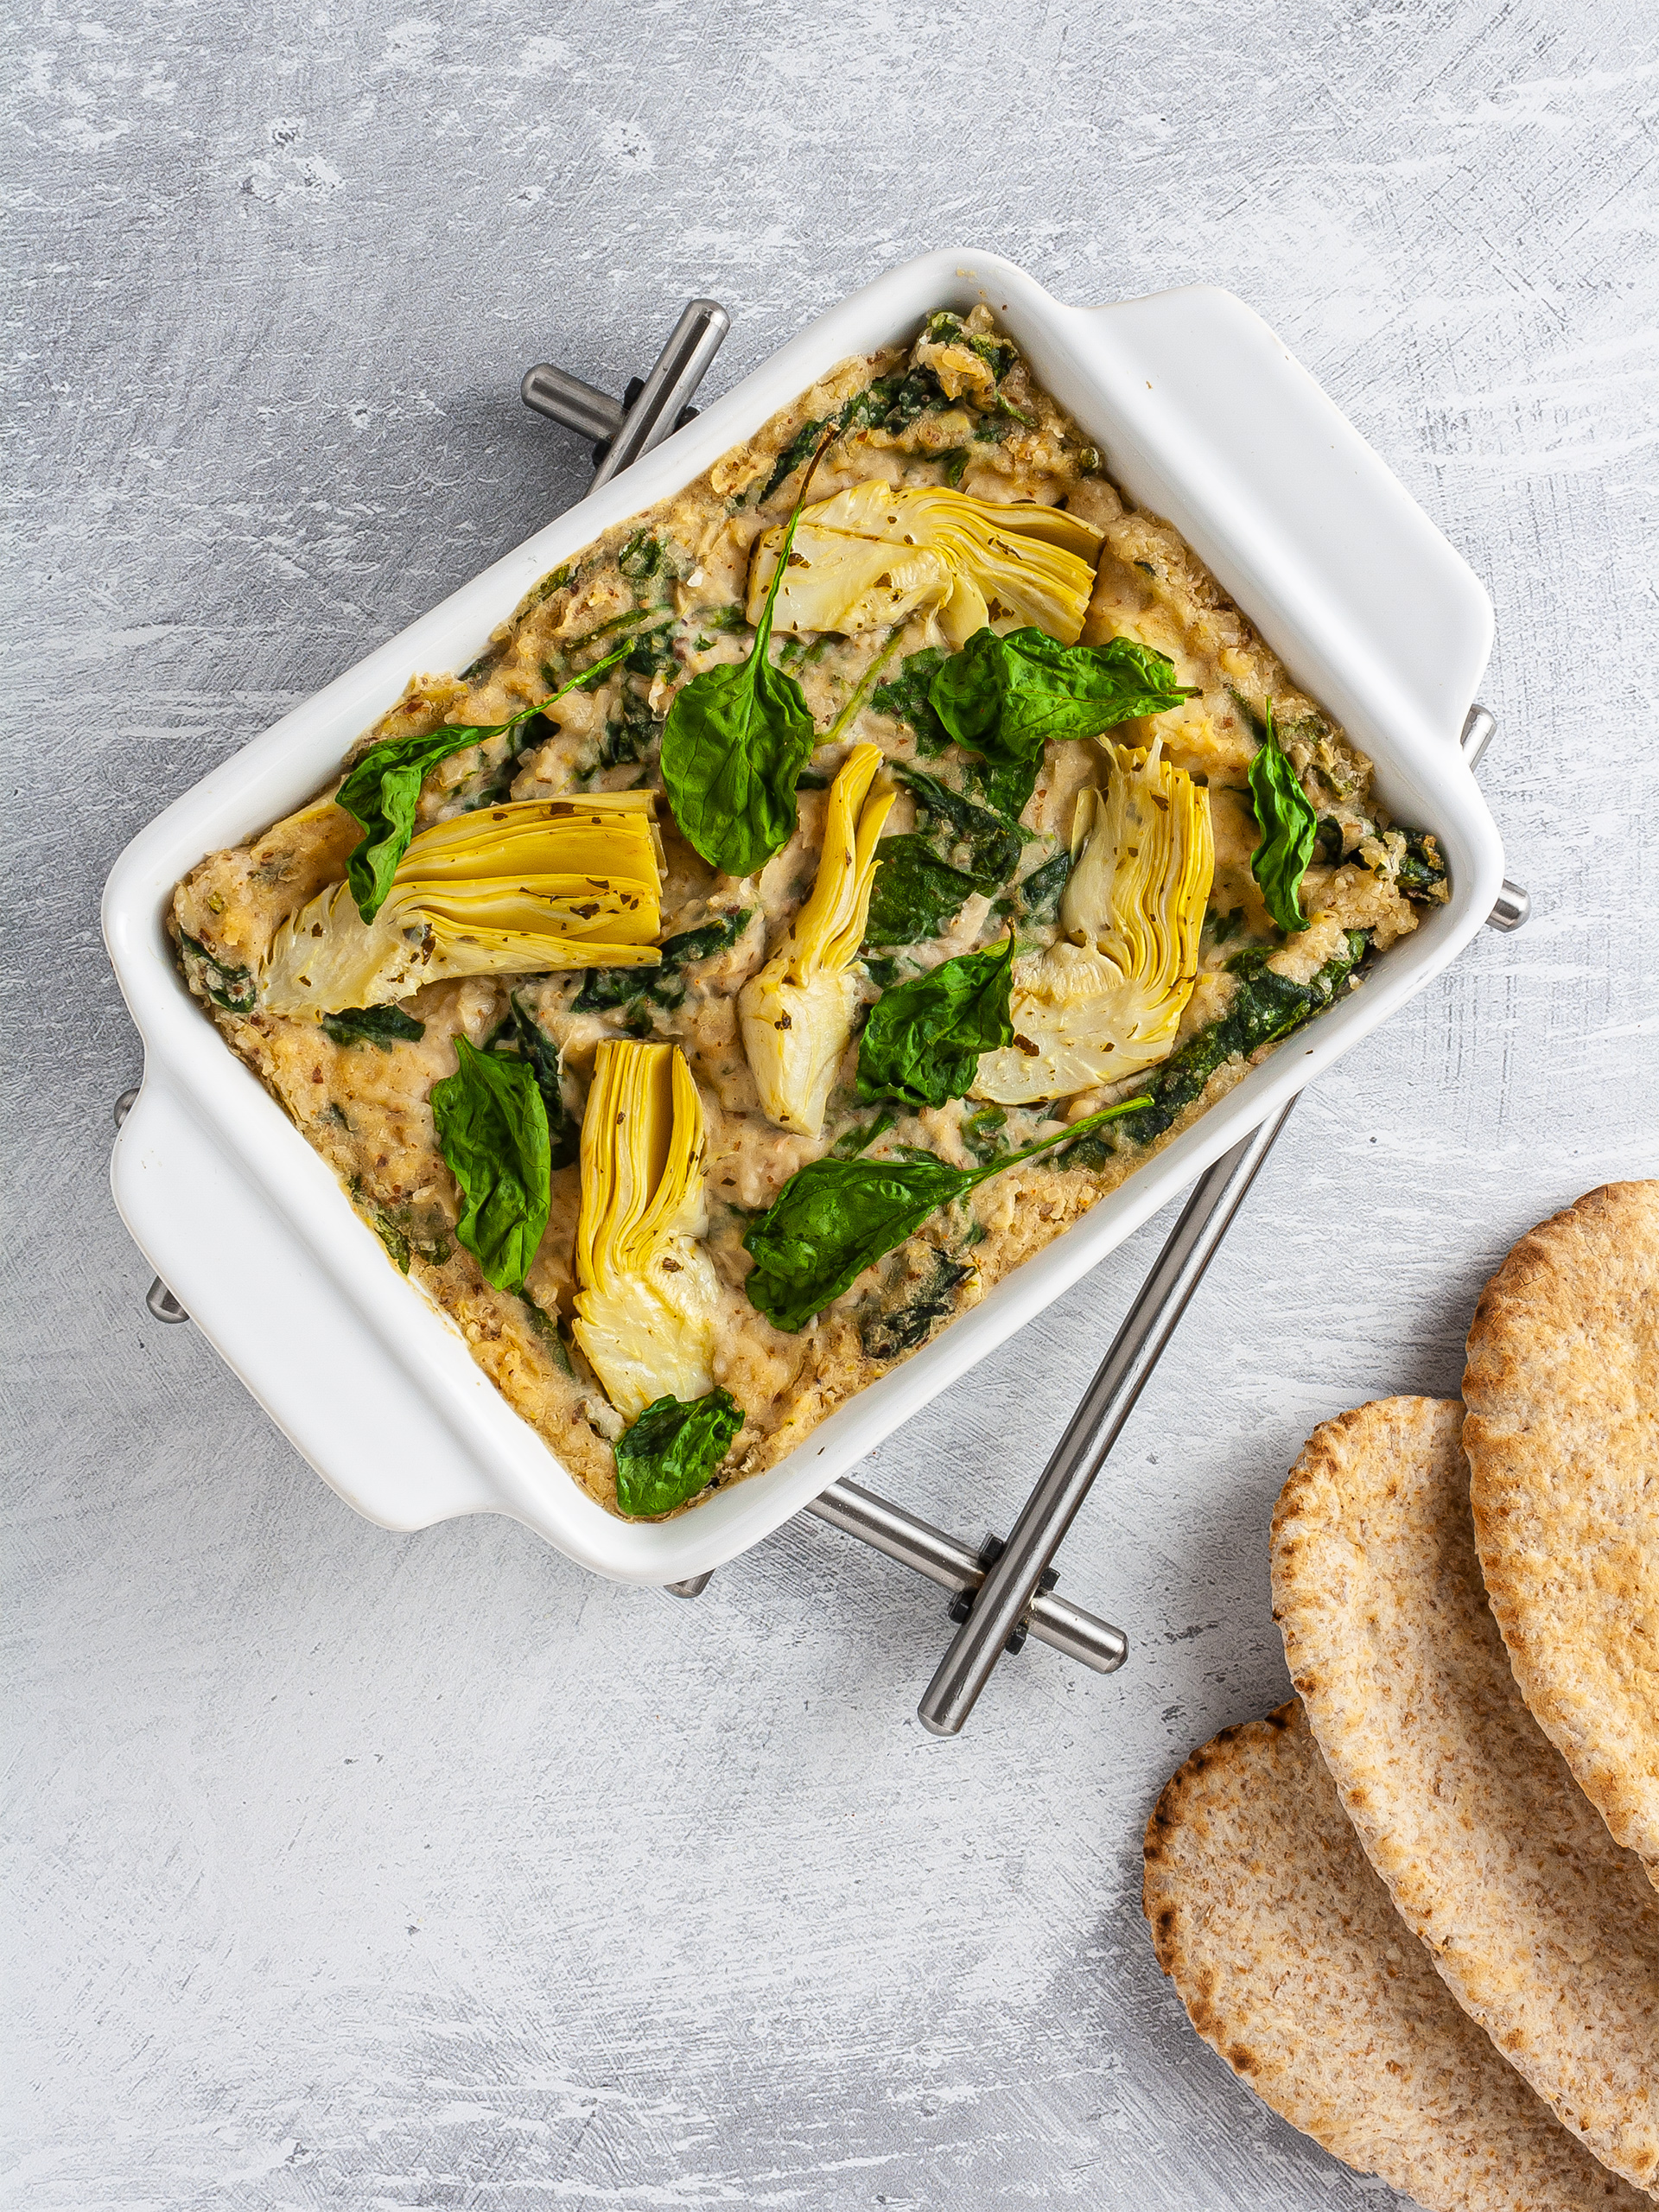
[1541,1926]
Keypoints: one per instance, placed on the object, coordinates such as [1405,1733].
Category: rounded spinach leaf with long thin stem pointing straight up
[733,747]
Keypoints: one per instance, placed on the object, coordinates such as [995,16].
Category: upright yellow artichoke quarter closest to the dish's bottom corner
[647,1304]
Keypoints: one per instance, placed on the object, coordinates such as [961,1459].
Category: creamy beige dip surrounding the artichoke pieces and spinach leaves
[676,583]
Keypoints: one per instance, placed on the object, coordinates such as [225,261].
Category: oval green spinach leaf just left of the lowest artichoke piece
[492,1131]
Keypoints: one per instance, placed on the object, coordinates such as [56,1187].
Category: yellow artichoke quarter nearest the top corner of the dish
[879,554]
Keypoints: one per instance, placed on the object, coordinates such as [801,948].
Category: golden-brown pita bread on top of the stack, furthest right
[1563,1439]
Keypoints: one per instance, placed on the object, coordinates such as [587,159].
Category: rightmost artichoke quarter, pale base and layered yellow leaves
[1107,1001]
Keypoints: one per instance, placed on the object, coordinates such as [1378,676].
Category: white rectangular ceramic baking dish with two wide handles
[1204,419]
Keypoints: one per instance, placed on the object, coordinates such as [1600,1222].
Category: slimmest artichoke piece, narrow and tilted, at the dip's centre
[797,1014]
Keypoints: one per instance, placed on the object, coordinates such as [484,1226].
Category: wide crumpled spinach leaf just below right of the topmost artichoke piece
[1008,698]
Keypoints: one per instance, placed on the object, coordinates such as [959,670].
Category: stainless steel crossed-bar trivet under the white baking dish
[1001,1592]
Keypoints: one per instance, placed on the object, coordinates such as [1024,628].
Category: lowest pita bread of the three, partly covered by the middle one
[1295,1968]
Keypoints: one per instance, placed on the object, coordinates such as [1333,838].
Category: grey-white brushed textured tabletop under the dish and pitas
[364,1870]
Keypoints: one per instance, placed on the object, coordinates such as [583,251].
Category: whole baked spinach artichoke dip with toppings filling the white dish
[817,897]
